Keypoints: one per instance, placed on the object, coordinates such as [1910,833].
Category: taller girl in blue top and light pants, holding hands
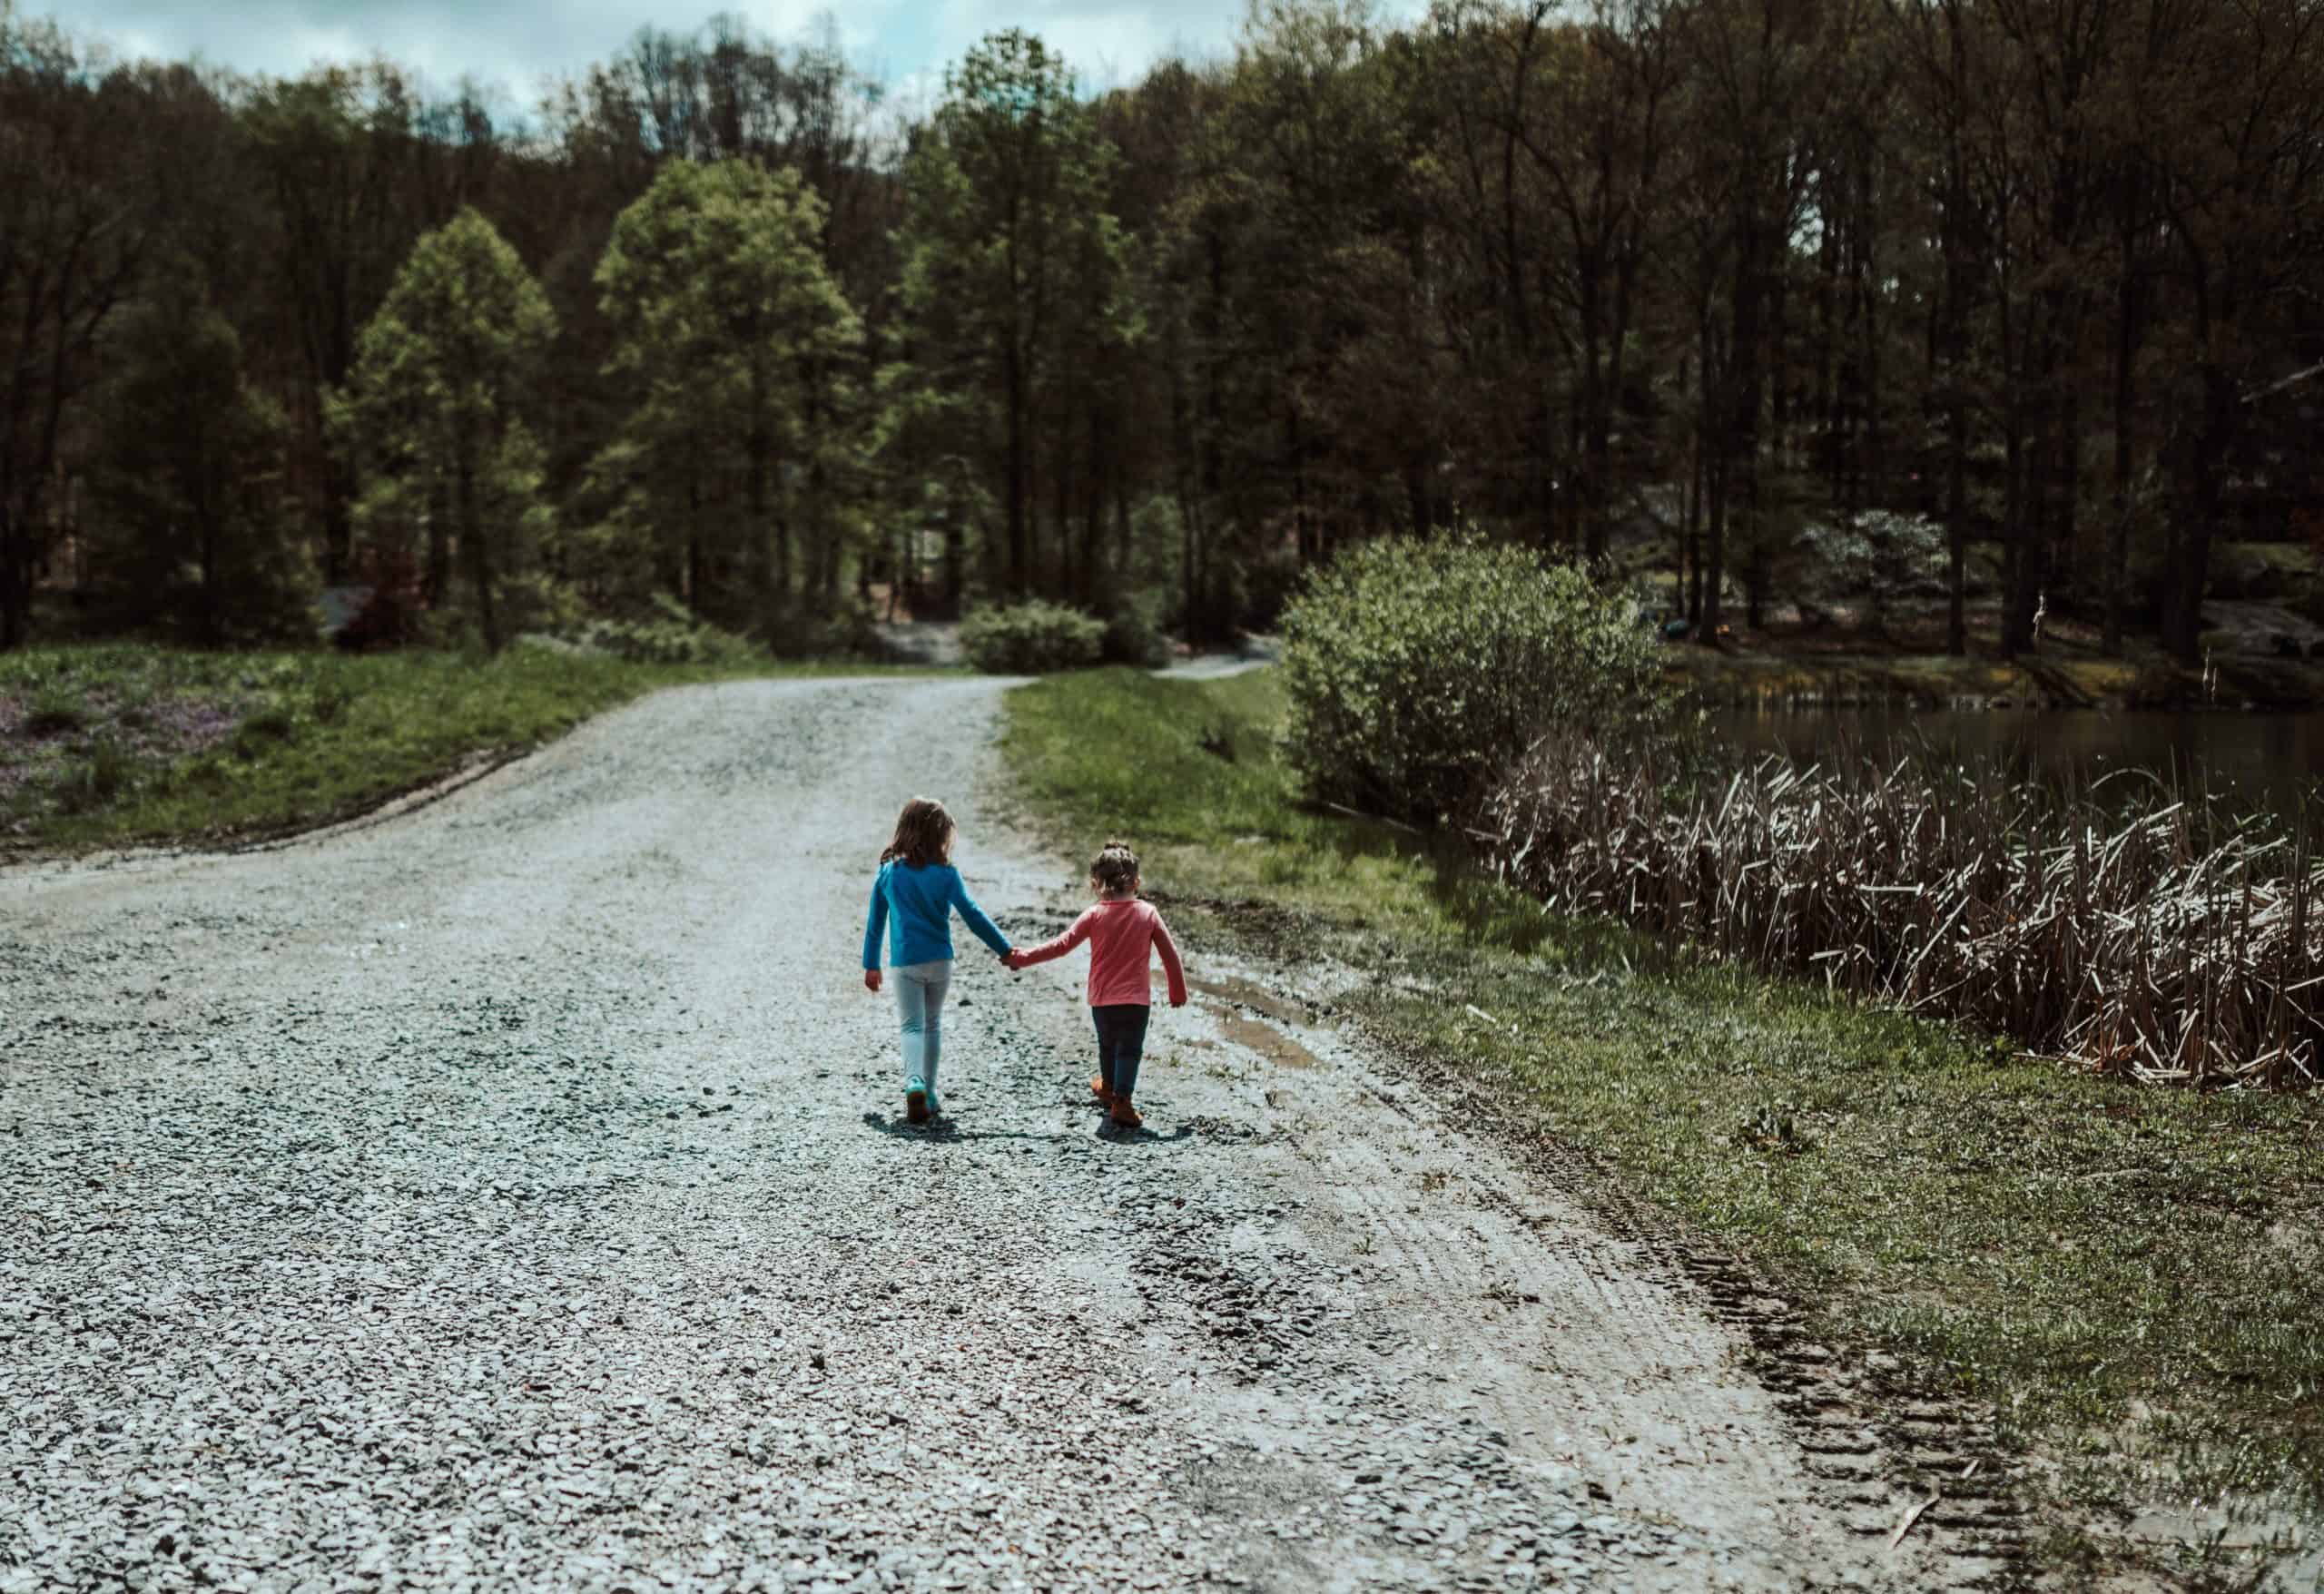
[914,900]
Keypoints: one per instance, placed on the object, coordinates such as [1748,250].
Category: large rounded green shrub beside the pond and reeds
[1421,670]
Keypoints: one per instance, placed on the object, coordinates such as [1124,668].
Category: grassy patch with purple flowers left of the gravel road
[136,745]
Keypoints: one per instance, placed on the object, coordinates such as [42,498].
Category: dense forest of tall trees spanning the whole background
[1695,285]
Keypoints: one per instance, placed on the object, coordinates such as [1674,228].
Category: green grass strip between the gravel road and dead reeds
[2132,1277]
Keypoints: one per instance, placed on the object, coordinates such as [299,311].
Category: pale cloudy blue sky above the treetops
[517,48]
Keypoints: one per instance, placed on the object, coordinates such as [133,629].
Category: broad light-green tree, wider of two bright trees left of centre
[738,352]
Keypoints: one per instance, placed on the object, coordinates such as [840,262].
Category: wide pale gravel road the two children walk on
[515,1195]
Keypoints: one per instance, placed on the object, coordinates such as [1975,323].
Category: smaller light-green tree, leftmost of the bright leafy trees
[433,415]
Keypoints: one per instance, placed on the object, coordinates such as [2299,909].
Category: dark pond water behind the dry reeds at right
[2251,761]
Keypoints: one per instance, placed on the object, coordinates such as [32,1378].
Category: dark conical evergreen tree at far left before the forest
[189,482]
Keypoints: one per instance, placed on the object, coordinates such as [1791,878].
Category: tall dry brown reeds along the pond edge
[2158,942]
